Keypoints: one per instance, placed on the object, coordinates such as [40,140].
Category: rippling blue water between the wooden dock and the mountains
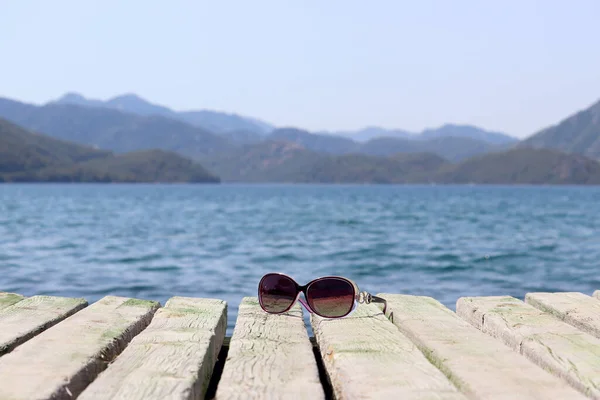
[158,241]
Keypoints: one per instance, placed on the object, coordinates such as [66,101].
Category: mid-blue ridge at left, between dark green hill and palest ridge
[113,130]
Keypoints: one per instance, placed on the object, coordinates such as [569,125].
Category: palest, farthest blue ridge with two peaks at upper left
[217,122]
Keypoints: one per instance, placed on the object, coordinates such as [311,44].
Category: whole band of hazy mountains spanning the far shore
[288,154]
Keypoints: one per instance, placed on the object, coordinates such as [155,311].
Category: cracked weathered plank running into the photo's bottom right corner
[550,343]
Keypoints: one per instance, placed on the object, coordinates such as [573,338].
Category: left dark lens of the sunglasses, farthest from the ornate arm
[277,293]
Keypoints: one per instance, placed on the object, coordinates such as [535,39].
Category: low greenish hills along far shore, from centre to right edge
[287,162]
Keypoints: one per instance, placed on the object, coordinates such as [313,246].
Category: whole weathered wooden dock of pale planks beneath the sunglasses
[545,347]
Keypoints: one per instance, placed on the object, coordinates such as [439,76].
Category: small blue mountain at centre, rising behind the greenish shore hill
[315,142]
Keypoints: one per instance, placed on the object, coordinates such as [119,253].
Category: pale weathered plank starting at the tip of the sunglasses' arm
[479,365]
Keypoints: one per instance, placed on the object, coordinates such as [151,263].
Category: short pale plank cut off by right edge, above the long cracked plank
[577,309]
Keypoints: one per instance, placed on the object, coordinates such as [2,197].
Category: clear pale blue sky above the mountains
[514,66]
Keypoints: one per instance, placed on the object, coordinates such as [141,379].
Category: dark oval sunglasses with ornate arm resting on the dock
[328,297]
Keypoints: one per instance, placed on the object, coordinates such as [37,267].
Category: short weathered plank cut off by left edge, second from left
[27,318]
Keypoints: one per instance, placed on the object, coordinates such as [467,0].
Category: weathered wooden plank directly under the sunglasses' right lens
[366,357]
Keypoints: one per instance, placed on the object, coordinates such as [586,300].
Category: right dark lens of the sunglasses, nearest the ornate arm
[331,297]
